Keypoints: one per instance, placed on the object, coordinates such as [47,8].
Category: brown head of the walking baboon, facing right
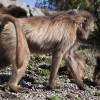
[86,26]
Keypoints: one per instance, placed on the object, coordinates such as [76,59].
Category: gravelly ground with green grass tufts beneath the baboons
[36,80]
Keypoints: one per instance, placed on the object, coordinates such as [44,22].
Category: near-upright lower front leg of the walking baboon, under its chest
[56,59]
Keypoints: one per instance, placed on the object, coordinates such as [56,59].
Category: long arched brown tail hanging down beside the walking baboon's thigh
[19,38]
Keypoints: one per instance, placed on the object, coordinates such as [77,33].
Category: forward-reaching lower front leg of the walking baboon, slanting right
[72,64]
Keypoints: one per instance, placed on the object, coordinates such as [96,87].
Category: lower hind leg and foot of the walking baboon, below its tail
[17,73]
